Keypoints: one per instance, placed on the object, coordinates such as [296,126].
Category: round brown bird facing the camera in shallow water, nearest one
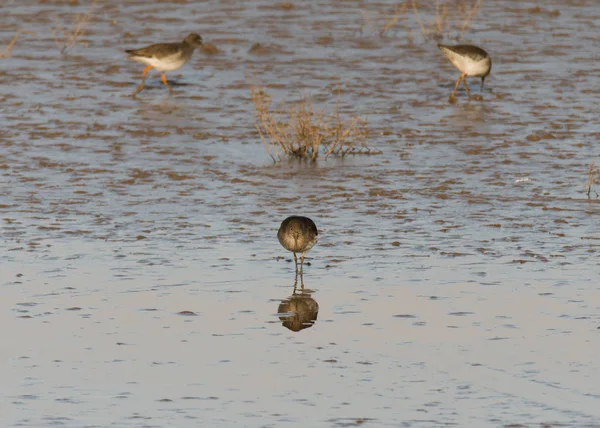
[298,234]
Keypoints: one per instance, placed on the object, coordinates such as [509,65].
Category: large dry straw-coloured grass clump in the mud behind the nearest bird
[304,131]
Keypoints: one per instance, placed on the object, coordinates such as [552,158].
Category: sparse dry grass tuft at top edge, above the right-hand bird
[447,18]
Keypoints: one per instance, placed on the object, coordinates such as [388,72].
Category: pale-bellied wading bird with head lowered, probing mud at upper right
[470,61]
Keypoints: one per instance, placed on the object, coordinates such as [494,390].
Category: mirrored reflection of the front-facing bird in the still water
[300,310]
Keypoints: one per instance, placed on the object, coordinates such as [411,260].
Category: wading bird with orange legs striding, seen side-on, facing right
[165,57]
